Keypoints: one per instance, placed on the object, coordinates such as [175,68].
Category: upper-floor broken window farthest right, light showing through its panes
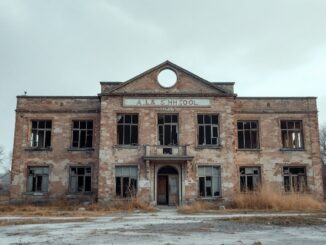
[292,134]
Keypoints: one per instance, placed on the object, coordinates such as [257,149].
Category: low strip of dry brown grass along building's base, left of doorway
[64,208]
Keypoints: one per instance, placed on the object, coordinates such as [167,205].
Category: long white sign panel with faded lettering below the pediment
[166,102]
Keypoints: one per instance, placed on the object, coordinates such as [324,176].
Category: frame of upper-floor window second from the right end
[250,130]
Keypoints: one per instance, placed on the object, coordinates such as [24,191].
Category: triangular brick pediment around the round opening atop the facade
[186,83]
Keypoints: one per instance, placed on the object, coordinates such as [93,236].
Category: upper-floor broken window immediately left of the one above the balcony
[127,129]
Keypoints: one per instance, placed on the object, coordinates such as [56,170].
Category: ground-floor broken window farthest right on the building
[295,179]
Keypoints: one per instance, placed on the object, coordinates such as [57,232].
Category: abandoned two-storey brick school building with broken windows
[168,143]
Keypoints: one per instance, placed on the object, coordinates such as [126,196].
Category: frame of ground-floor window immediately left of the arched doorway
[122,177]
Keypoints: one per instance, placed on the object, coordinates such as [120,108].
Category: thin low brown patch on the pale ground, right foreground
[281,221]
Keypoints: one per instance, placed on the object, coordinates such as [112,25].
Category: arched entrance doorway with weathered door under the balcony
[167,186]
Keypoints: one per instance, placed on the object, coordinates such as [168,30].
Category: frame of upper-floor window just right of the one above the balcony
[212,126]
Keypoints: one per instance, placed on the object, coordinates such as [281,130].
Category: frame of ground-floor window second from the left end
[84,179]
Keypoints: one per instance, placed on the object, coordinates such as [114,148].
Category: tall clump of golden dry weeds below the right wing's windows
[267,198]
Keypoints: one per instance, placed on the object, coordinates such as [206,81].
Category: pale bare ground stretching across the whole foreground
[169,227]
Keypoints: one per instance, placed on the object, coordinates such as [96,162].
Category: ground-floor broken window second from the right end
[249,179]
